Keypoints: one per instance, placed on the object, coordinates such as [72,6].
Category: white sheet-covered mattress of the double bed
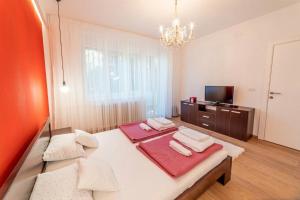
[138,177]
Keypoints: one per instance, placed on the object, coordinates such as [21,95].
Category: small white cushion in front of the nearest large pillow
[96,175]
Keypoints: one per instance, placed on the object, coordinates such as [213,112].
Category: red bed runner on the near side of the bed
[171,161]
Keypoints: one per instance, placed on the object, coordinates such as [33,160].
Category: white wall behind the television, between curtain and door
[238,56]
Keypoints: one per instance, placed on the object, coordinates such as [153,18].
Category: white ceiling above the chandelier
[145,16]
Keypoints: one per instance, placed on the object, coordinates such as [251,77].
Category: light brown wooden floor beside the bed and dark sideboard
[265,171]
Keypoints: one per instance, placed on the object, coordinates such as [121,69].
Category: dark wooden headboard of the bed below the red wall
[19,184]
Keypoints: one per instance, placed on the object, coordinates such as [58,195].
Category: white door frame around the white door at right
[267,85]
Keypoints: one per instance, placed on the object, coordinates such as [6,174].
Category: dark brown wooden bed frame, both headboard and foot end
[23,171]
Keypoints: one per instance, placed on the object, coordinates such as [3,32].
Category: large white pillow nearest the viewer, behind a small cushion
[59,184]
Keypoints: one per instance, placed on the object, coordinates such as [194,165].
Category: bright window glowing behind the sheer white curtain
[122,76]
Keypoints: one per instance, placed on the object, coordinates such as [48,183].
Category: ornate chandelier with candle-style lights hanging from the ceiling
[176,35]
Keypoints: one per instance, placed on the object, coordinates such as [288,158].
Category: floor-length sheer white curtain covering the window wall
[114,77]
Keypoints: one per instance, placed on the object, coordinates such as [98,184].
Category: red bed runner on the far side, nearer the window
[137,134]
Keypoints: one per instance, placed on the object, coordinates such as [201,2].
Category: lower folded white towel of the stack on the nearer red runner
[193,144]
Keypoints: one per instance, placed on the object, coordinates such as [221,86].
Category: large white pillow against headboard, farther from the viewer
[63,147]
